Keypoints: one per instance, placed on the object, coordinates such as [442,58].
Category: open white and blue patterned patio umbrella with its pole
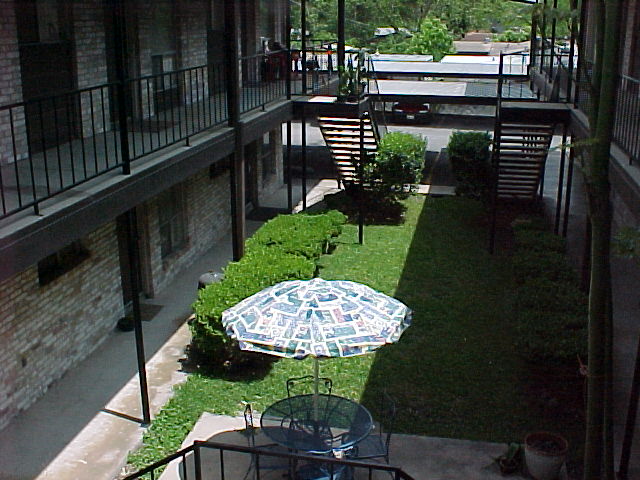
[318,318]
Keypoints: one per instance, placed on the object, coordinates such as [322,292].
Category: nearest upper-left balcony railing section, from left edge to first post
[52,144]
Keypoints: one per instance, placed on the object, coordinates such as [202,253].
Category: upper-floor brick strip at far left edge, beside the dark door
[10,86]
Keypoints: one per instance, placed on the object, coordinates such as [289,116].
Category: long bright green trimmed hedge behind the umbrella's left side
[282,249]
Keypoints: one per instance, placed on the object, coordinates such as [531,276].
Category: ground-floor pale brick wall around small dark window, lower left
[45,330]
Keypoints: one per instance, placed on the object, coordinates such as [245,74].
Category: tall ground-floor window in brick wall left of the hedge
[172,221]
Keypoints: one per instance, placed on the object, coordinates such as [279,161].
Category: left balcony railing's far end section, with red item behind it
[263,78]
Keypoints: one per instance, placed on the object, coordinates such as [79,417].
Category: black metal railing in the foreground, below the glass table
[210,460]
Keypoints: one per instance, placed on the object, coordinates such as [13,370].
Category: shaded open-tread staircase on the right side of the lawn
[519,156]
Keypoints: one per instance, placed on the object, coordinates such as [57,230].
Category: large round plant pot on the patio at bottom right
[544,454]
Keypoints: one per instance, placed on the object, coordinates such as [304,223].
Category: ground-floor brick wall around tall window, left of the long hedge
[208,217]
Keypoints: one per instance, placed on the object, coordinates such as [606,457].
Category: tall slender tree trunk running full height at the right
[600,280]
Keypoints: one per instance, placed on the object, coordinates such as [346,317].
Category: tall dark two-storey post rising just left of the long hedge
[237,177]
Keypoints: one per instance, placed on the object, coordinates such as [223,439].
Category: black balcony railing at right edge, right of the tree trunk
[626,129]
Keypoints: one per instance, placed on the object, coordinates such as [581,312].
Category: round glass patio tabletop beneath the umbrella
[318,424]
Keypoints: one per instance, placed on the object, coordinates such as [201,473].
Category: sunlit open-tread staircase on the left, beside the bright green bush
[346,138]
